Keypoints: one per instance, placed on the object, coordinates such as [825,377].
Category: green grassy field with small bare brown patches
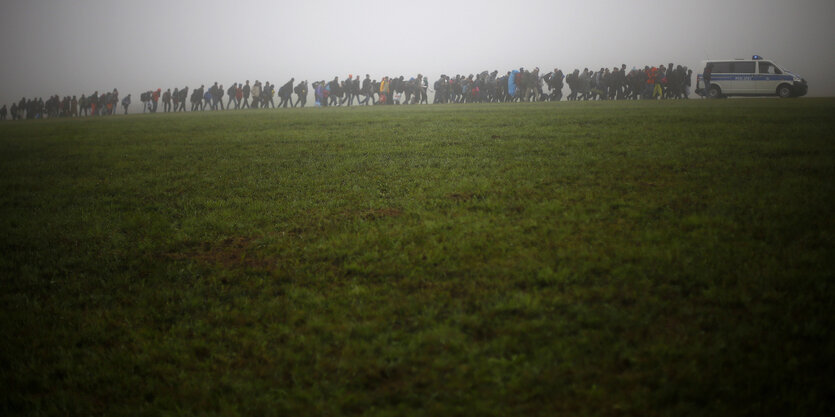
[640,258]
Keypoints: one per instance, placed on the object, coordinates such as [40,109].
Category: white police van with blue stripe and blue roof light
[750,77]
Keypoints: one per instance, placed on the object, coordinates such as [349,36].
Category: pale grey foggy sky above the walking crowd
[72,47]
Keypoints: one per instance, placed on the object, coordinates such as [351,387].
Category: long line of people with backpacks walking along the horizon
[518,85]
